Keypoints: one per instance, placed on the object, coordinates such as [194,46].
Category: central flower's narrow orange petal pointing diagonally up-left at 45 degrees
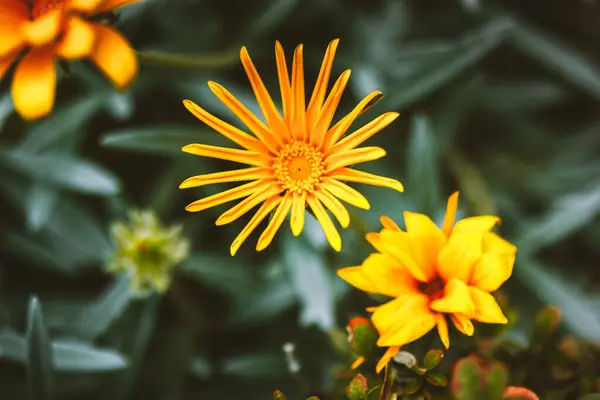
[256,126]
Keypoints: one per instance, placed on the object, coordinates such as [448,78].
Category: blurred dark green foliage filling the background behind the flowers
[499,99]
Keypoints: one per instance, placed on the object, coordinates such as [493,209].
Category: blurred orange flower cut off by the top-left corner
[58,28]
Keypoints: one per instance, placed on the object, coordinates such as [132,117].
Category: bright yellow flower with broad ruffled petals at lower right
[433,273]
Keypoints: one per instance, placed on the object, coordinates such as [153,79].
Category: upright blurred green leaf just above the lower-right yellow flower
[422,165]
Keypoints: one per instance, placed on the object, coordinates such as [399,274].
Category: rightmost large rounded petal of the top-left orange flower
[114,56]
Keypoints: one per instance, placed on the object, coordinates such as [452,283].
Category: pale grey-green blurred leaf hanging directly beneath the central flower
[311,281]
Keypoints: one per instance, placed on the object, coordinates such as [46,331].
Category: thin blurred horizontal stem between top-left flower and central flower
[221,59]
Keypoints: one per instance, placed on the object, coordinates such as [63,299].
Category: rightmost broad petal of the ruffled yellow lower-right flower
[492,270]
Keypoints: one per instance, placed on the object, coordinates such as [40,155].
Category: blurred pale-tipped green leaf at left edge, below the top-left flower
[64,171]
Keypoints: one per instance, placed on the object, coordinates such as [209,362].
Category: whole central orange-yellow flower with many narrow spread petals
[296,159]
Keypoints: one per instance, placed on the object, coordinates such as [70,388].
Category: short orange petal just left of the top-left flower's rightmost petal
[77,40]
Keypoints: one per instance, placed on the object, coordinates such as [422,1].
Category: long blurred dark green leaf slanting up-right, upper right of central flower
[444,67]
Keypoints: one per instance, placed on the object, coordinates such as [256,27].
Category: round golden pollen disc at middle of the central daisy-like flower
[299,167]
